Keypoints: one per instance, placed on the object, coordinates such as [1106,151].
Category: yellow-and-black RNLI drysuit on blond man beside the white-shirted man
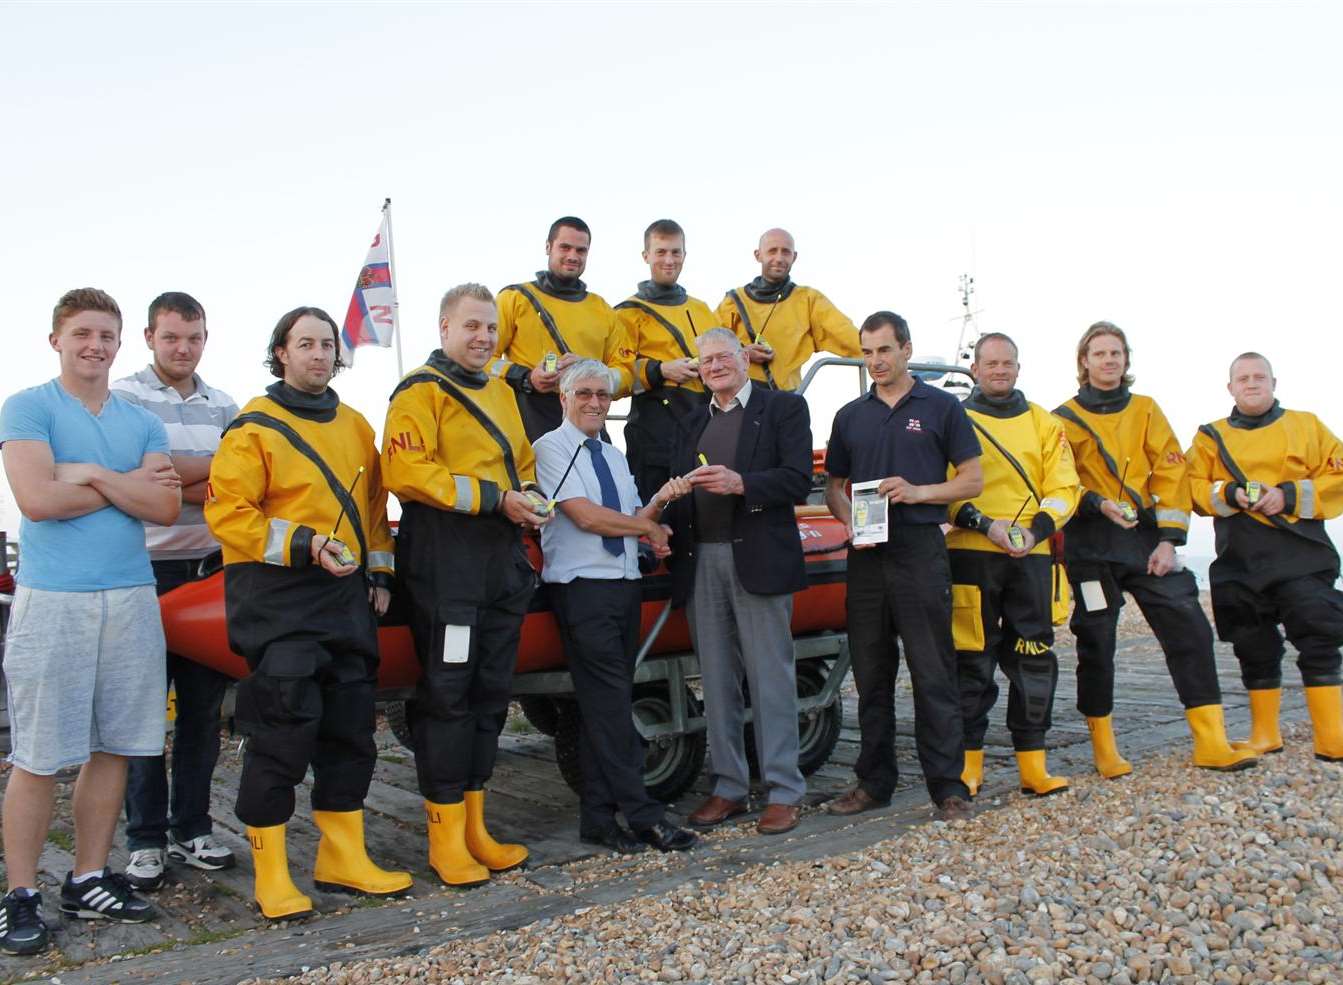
[453,447]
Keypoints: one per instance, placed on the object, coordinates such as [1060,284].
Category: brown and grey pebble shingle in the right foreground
[1173,875]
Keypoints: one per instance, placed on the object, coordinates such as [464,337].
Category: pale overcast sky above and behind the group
[1172,169]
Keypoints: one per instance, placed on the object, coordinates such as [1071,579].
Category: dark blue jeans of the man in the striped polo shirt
[195,749]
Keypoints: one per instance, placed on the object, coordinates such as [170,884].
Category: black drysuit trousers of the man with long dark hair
[311,642]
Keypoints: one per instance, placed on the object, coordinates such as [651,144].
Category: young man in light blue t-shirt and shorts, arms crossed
[83,652]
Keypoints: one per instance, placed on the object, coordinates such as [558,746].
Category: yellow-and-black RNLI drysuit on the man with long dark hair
[288,468]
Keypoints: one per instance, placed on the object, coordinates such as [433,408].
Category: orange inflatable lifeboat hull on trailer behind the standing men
[195,623]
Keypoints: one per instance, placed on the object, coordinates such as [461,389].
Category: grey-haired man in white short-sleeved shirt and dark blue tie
[593,572]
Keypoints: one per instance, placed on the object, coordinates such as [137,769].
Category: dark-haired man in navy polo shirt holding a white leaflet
[906,435]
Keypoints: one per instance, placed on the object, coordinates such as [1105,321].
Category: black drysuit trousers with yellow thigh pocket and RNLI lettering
[1001,615]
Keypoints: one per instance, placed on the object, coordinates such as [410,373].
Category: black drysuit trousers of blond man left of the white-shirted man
[467,581]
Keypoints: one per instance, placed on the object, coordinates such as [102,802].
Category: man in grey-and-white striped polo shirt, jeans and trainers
[195,416]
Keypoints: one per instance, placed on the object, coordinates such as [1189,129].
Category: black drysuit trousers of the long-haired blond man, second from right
[1172,608]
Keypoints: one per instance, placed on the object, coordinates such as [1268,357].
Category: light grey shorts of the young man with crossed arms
[85,674]
